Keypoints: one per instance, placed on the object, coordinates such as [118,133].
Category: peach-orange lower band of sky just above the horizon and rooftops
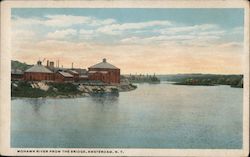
[159,58]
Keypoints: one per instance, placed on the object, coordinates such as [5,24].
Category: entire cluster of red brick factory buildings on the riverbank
[103,71]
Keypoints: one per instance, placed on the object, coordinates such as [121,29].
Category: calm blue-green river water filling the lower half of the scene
[152,116]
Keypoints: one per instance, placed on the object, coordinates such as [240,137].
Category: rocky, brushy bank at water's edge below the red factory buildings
[65,90]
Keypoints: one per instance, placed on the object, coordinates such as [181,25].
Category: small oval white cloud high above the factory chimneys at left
[61,34]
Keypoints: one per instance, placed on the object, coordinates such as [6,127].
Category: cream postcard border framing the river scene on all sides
[5,107]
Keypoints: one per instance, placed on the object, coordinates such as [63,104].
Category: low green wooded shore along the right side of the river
[205,79]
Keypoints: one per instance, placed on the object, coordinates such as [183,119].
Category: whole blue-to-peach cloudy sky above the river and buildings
[142,41]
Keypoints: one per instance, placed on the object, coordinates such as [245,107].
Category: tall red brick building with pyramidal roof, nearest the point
[104,72]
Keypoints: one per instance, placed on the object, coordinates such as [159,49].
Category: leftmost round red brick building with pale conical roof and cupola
[38,73]
